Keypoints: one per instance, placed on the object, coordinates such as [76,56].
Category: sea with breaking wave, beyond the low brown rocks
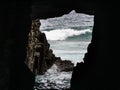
[69,35]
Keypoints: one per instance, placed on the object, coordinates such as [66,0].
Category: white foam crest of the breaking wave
[63,34]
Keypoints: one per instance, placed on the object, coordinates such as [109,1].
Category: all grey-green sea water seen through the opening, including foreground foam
[68,36]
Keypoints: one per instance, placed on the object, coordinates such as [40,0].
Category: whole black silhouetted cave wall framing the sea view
[100,71]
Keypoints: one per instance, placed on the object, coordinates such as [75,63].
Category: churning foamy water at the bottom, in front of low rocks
[53,78]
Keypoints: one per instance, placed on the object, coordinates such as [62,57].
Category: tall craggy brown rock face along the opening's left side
[39,55]
